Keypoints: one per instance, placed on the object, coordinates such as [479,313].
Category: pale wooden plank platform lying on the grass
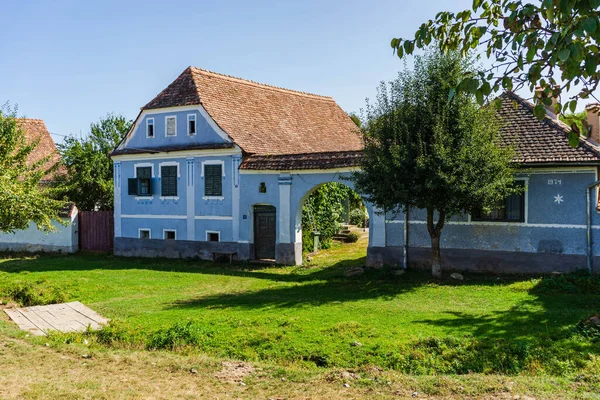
[64,317]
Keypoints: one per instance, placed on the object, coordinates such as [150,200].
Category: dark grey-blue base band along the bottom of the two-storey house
[133,247]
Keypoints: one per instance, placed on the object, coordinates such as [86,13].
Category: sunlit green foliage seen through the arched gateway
[321,212]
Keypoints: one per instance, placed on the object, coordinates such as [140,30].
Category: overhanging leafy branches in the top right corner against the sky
[552,44]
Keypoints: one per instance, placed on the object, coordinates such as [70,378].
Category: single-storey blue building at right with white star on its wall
[542,230]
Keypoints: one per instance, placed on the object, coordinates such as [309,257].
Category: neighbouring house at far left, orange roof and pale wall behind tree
[65,239]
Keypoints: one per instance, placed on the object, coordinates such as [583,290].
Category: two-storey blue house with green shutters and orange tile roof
[216,163]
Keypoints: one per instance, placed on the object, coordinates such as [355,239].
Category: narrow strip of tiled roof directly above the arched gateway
[303,161]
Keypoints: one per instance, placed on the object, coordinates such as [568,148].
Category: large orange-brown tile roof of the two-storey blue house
[262,119]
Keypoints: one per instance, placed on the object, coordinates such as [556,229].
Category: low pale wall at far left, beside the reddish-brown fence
[65,239]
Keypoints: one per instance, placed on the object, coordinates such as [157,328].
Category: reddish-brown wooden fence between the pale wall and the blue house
[96,230]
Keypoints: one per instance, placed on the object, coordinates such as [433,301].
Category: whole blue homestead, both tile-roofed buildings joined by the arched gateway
[220,164]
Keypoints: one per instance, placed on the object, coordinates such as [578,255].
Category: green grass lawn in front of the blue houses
[314,316]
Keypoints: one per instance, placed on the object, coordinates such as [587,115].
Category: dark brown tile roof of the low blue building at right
[540,142]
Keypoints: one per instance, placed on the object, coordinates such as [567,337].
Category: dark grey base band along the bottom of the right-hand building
[500,262]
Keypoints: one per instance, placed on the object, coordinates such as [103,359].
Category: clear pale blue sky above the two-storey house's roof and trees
[71,62]
